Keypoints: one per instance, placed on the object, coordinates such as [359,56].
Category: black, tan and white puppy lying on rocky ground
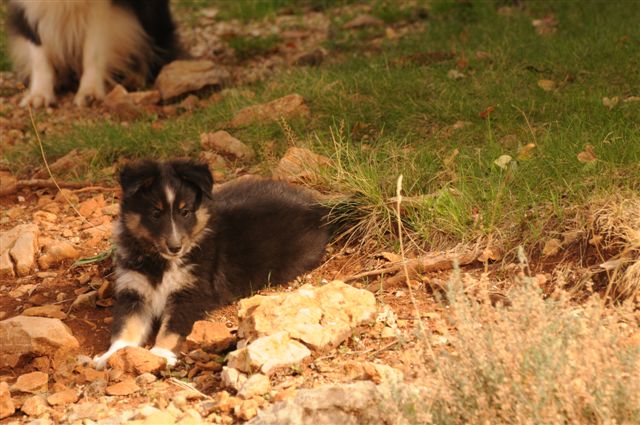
[182,250]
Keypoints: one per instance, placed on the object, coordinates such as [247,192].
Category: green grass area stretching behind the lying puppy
[396,110]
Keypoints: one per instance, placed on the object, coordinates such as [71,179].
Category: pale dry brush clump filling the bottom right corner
[536,361]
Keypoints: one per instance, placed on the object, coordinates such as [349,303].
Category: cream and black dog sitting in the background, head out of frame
[97,42]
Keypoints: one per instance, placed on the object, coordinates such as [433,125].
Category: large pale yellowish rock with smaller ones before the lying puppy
[282,330]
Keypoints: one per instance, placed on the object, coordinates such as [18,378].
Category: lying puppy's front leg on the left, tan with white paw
[131,326]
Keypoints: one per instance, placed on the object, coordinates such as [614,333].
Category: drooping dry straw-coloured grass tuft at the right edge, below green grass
[615,228]
